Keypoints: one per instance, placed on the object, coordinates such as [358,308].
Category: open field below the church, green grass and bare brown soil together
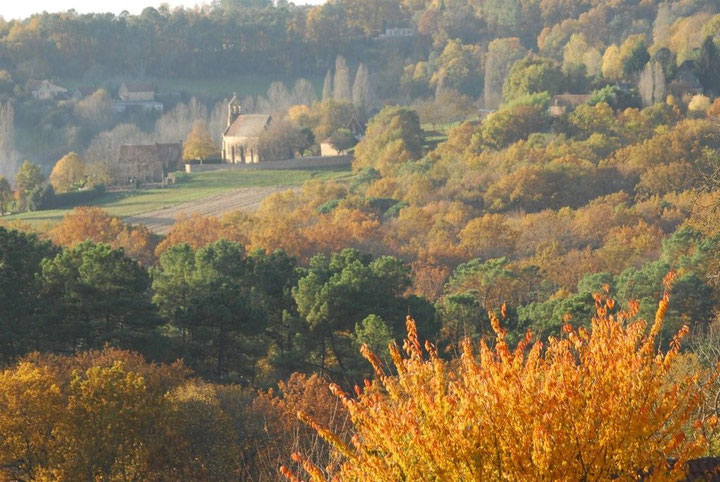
[208,193]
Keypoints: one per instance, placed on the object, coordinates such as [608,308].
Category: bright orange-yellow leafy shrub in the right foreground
[589,405]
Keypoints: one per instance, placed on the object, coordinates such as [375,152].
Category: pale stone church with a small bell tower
[240,139]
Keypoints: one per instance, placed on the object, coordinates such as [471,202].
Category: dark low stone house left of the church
[149,163]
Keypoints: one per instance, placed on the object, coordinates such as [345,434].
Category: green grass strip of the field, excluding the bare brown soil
[194,187]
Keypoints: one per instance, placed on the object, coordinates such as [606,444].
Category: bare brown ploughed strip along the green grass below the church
[245,199]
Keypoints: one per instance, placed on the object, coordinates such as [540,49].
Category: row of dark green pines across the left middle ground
[255,317]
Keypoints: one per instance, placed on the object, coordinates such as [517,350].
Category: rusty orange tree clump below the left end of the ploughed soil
[95,224]
